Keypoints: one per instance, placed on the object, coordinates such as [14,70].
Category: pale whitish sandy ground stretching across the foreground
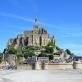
[41,76]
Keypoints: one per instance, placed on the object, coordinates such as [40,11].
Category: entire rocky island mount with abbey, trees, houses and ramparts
[37,49]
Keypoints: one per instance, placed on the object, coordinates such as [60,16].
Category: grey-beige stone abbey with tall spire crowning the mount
[36,37]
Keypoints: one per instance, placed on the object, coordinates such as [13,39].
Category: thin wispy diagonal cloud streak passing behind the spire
[30,20]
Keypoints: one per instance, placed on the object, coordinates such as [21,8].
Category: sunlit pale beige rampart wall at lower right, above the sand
[53,66]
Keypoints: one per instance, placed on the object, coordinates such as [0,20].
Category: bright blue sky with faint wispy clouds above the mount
[61,18]
